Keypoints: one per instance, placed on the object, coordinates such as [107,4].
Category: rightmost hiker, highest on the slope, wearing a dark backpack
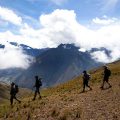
[106,74]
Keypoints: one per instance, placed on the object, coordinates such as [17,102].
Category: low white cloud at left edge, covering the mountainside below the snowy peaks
[13,57]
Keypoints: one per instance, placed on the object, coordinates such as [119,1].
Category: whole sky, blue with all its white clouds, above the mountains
[48,23]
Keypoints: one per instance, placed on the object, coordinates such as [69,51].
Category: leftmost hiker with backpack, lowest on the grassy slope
[14,90]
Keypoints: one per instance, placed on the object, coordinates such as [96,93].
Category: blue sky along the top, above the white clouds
[85,9]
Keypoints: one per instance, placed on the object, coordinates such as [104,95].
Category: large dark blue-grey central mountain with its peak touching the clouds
[57,65]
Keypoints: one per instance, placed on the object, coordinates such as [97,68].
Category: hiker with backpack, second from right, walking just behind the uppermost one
[86,78]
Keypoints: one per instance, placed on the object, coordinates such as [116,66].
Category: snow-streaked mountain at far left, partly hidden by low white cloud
[8,75]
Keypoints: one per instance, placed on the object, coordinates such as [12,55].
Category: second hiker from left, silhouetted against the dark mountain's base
[38,84]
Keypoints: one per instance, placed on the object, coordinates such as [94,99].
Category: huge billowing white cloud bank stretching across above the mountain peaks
[61,26]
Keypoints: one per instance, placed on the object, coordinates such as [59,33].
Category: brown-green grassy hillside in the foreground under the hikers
[65,102]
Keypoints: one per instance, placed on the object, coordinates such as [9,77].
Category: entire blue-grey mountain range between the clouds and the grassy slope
[55,65]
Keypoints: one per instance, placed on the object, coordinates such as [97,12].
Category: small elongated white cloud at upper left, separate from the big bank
[10,16]
